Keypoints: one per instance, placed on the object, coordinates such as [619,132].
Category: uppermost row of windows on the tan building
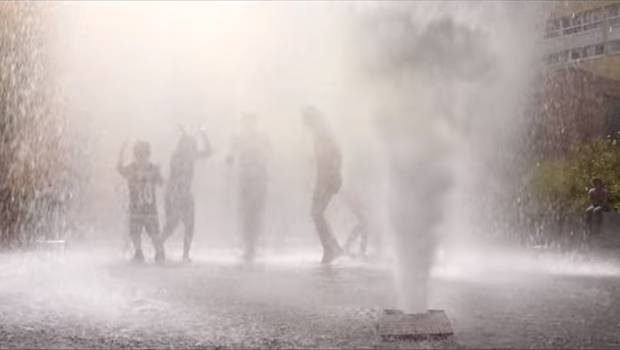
[583,21]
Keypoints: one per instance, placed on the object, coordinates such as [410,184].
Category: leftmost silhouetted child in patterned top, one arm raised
[142,178]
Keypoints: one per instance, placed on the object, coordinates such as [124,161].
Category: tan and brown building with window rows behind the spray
[580,97]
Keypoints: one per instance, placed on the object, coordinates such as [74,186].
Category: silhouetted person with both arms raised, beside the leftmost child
[179,201]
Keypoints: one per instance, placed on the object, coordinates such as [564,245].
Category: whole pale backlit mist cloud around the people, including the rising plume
[426,100]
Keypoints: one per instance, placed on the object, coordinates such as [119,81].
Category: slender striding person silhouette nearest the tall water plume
[328,160]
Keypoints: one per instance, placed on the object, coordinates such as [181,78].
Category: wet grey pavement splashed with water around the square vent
[89,299]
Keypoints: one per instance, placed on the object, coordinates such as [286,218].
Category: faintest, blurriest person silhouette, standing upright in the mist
[251,151]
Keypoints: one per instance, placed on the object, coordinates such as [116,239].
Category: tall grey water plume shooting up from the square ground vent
[451,84]
